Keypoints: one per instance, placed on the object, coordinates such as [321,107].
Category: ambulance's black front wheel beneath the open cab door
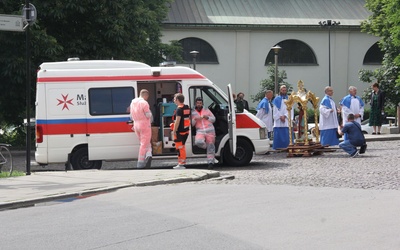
[244,153]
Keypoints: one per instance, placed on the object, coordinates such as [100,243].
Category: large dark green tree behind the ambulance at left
[88,29]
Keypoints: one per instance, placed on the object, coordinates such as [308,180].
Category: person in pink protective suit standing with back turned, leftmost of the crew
[142,117]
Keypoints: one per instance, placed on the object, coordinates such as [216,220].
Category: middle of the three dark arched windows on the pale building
[293,52]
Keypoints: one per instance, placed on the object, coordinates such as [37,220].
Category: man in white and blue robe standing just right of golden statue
[328,121]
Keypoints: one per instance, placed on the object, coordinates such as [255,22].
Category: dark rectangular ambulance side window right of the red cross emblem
[110,101]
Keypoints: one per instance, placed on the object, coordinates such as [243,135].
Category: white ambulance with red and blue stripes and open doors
[82,115]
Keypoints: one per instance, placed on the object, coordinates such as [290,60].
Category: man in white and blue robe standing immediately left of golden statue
[281,120]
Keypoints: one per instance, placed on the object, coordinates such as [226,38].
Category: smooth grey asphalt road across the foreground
[210,216]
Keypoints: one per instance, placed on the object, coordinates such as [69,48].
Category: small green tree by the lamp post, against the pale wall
[269,83]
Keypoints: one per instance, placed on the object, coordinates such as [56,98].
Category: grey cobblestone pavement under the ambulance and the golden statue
[379,168]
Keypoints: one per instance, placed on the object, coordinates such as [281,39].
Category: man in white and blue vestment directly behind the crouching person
[352,104]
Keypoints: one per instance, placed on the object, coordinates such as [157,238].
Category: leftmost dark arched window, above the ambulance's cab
[206,51]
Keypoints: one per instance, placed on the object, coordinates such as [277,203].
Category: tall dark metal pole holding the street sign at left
[28,93]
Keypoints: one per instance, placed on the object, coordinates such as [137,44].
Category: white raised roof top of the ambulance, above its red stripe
[94,64]
